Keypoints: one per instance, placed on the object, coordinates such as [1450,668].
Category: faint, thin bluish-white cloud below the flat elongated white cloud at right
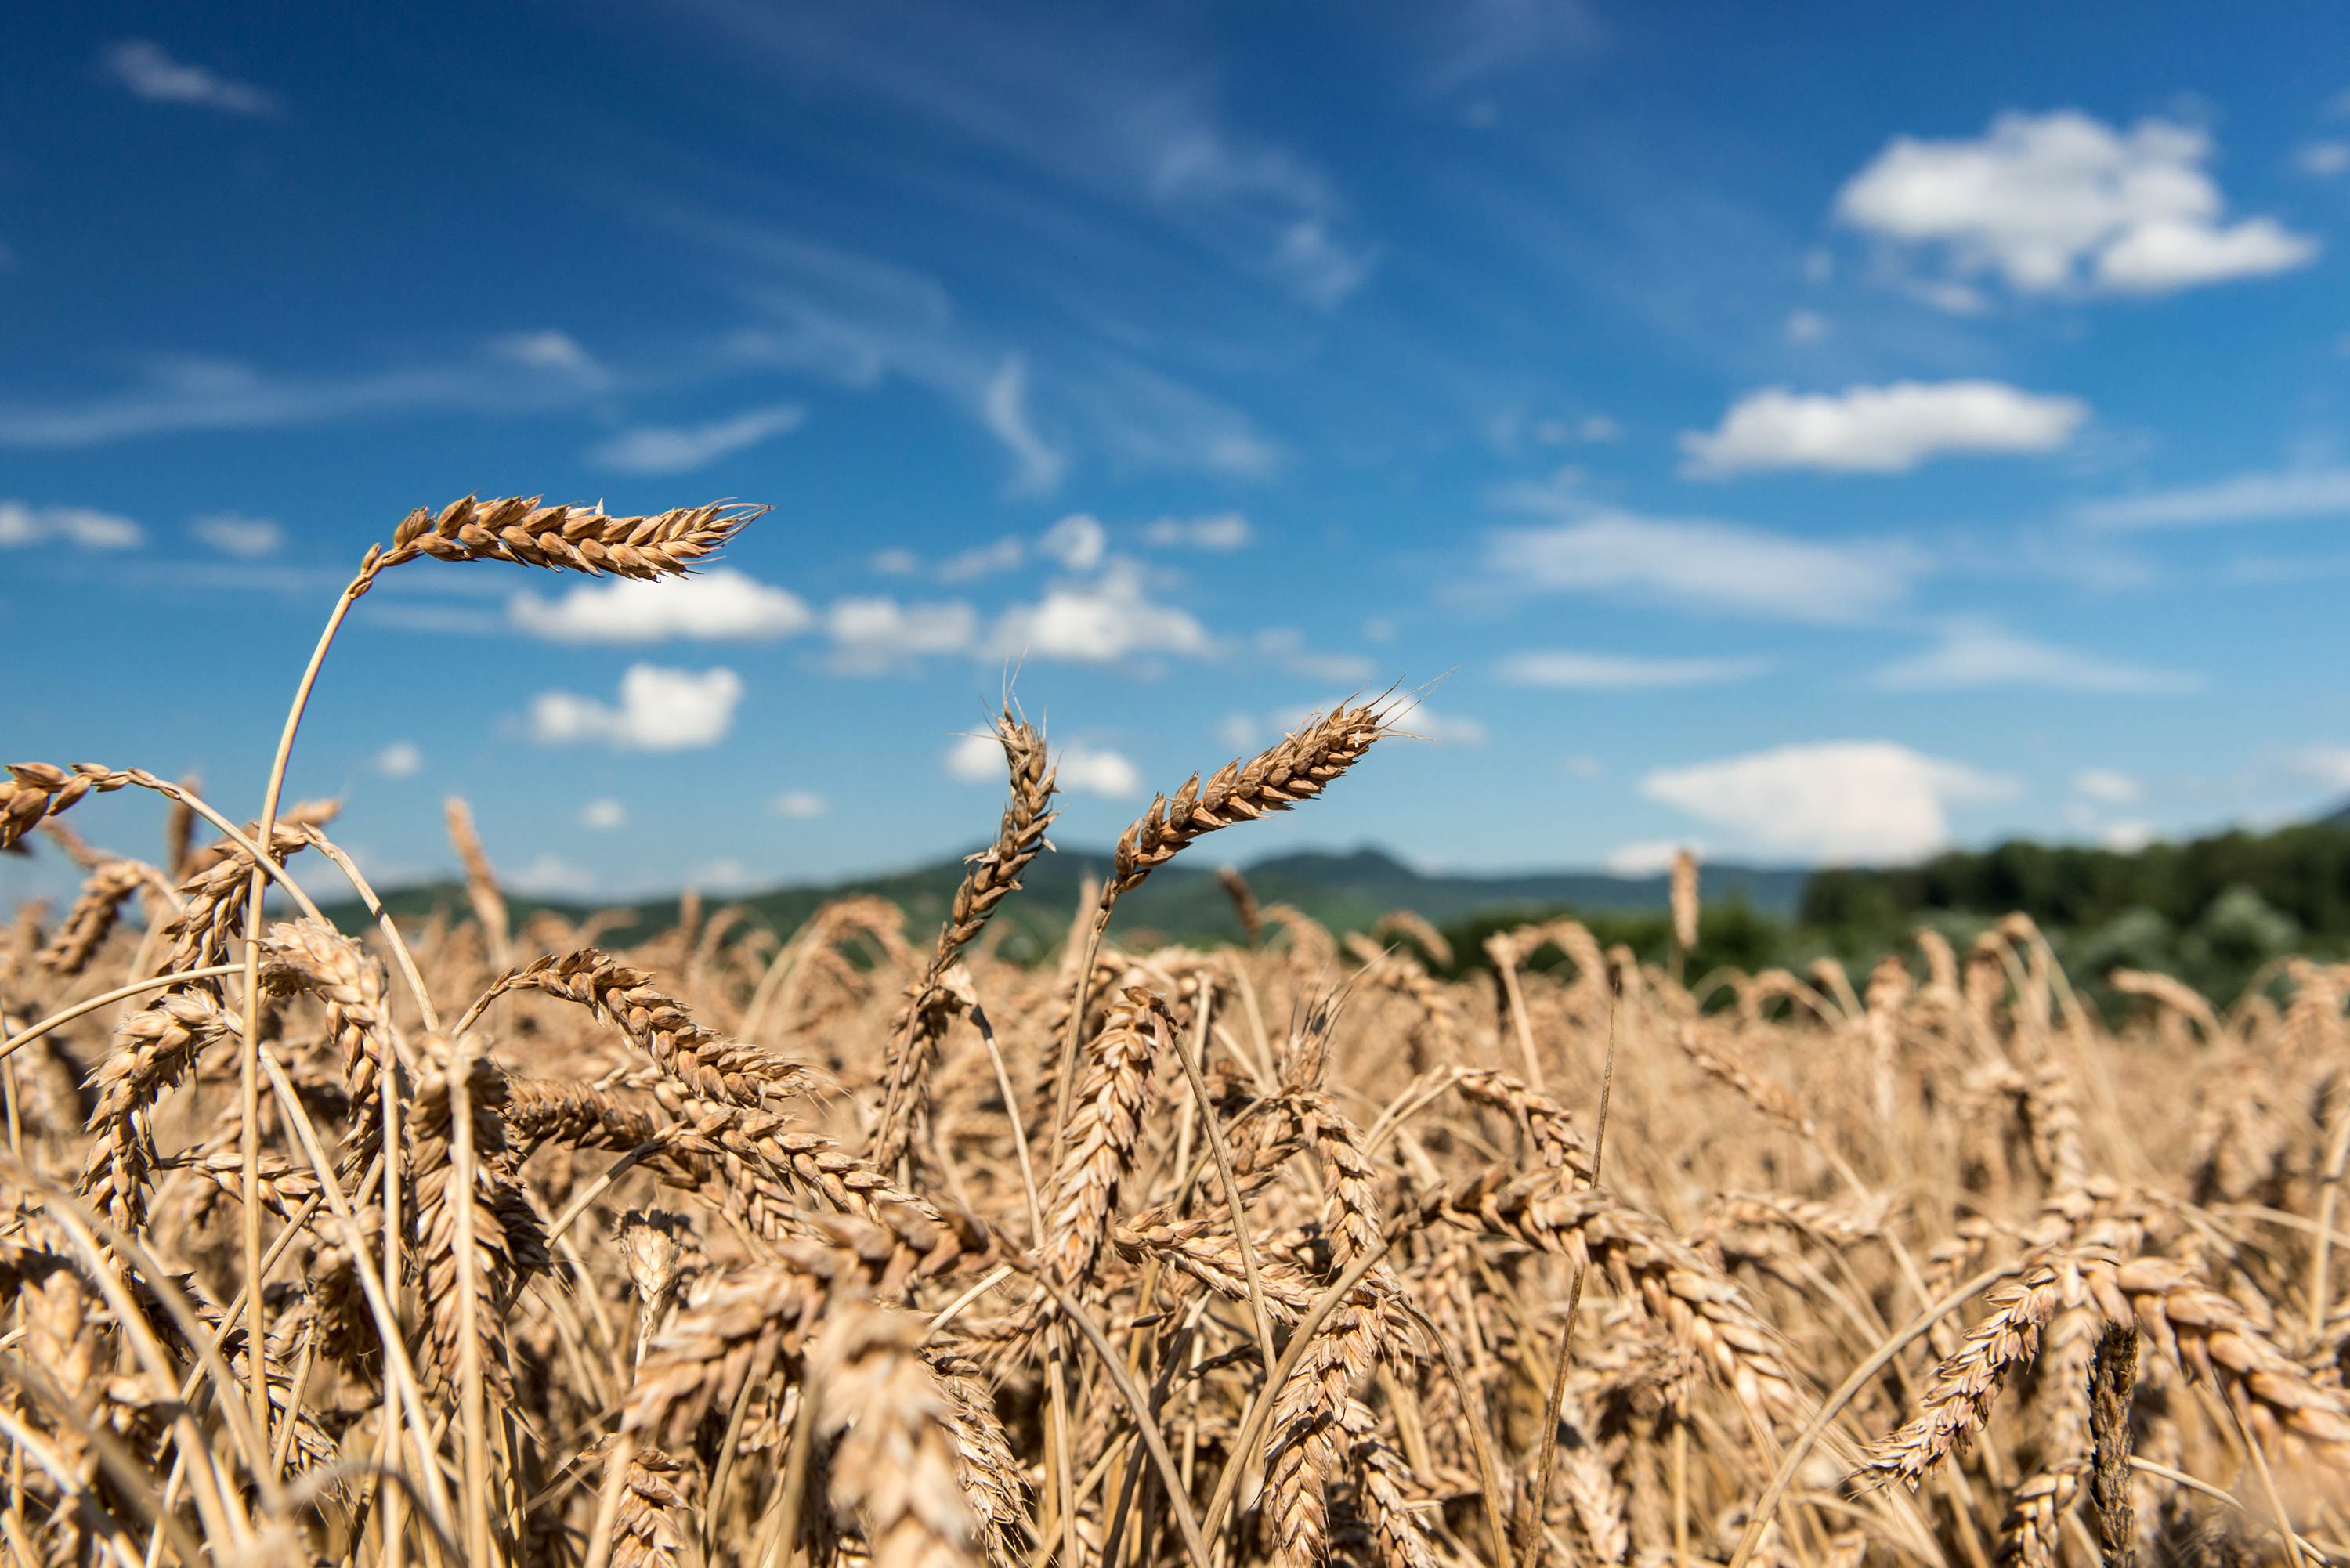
[1707,565]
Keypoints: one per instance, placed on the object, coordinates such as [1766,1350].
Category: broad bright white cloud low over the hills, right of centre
[1834,800]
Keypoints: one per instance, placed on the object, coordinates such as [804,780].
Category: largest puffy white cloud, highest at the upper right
[2067,203]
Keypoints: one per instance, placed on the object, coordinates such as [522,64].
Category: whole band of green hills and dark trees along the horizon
[2213,911]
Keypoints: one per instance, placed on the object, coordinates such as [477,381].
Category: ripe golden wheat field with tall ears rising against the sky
[861,1245]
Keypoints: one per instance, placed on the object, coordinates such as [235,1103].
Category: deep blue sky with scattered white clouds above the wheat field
[1811,434]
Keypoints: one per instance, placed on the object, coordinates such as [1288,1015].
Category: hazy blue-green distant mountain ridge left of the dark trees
[1183,902]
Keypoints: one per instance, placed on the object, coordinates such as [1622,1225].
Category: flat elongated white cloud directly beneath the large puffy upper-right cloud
[1881,429]
